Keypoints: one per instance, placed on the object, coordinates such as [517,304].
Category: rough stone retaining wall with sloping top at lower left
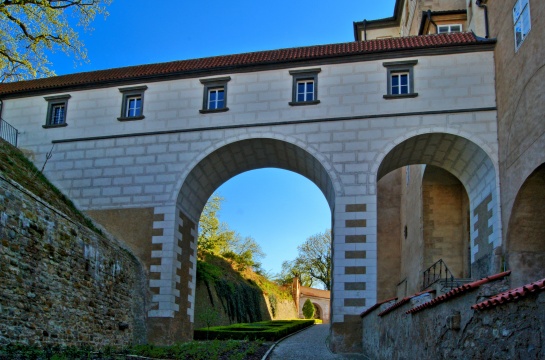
[62,283]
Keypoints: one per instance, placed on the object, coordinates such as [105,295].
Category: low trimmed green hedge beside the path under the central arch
[265,330]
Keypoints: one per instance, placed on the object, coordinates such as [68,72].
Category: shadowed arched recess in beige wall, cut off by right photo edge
[526,231]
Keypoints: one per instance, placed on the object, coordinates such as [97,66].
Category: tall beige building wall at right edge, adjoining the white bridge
[520,74]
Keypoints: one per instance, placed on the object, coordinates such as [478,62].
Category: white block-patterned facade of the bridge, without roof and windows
[102,163]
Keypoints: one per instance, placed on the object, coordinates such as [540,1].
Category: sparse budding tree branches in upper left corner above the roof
[31,28]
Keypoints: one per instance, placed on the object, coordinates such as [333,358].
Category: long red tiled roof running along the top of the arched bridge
[196,67]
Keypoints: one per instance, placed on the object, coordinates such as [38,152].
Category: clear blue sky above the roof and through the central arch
[279,209]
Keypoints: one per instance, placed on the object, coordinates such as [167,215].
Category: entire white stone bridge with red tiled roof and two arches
[146,180]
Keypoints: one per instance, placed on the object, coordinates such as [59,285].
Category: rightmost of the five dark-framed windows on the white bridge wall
[400,79]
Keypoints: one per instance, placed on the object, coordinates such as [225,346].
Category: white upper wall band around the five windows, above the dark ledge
[442,82]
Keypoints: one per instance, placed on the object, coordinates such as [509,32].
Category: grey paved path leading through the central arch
[308,344]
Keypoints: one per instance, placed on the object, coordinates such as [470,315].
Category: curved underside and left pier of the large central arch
[179,252]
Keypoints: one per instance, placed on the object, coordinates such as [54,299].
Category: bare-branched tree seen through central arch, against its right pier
[313,264]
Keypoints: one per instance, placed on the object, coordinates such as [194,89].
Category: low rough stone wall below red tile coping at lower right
[452,330]
